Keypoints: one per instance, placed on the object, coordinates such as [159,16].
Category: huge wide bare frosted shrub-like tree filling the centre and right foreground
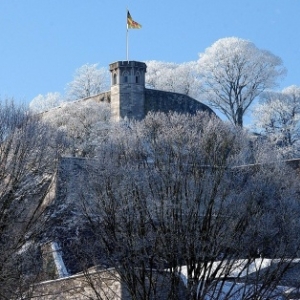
[165,197]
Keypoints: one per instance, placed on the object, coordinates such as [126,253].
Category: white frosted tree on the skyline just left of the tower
[88,80]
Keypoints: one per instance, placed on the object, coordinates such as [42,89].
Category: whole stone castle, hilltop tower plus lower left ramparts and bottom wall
[128,98]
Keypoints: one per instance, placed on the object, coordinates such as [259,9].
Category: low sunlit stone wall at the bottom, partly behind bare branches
[105,284]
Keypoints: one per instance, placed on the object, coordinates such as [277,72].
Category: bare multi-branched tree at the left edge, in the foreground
[28,152]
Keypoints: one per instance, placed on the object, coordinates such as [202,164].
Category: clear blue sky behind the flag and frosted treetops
[44,41]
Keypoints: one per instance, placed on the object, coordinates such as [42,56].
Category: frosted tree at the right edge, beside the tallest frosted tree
[277,116]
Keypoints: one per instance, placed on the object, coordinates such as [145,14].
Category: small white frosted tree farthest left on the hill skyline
[42,103]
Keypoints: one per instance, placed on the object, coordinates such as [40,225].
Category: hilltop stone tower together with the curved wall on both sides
[129,98]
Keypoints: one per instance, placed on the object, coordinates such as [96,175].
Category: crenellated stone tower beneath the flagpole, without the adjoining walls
[127,97]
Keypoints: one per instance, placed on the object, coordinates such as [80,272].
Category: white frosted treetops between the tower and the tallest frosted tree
[172,77]
